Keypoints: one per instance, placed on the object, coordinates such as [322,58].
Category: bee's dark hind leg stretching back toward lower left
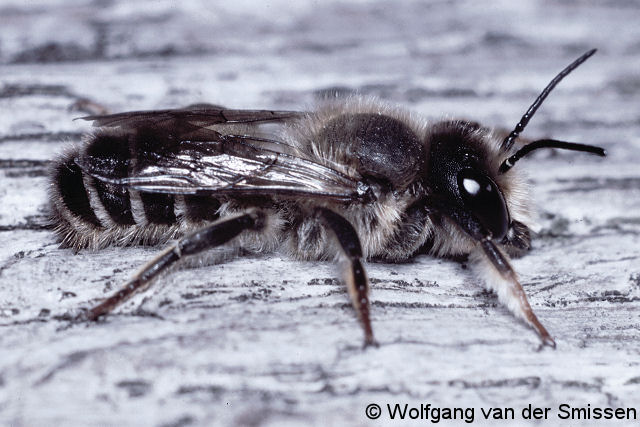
[208,237]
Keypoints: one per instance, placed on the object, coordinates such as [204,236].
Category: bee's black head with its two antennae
[468,185]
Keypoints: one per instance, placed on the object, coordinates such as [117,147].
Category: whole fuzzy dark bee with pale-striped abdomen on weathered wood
[355,179]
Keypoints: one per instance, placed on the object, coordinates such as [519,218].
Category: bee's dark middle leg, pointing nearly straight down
[355,276]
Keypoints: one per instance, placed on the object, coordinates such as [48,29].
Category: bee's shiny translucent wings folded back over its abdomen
[211,163]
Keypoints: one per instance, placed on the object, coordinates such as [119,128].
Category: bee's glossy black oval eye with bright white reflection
[484,201]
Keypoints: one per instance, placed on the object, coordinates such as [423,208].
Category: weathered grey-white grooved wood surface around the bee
[263,340]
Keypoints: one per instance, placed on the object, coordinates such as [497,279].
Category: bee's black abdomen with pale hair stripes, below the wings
[91,213]
